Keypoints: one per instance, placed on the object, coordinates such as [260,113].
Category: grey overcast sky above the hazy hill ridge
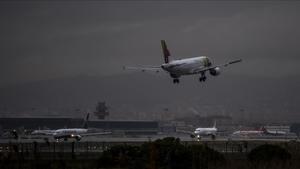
[45,40]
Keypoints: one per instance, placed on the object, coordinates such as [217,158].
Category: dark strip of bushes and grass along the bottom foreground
[168,153]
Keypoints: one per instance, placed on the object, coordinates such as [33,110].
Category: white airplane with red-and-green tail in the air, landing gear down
[188,66]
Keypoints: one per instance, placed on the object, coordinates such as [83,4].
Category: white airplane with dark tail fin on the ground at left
[76,133]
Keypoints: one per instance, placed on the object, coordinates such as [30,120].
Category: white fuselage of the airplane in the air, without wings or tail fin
[186,66]
